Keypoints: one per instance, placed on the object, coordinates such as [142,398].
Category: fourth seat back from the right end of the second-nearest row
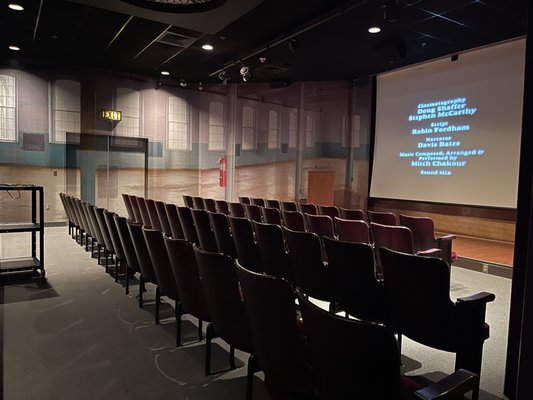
[271,245]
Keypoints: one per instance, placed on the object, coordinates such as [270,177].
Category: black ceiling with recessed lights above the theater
[281,41]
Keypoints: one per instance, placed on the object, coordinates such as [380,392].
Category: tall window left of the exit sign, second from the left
[66,112]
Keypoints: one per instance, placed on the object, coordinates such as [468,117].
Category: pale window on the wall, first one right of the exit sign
[178,123]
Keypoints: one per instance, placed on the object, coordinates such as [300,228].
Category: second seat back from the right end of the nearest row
[277,340]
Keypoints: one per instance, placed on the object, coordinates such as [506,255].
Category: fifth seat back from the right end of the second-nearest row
[243,237]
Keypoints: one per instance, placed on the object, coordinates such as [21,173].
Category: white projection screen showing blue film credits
[449,131]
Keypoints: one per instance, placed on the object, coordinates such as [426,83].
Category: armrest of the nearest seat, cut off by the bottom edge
[458,383]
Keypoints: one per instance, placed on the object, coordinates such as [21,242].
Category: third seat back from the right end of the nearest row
[224,301]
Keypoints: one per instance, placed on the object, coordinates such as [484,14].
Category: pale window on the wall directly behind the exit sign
[128,101]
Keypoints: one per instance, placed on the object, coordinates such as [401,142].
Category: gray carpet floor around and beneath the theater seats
[76,335]
